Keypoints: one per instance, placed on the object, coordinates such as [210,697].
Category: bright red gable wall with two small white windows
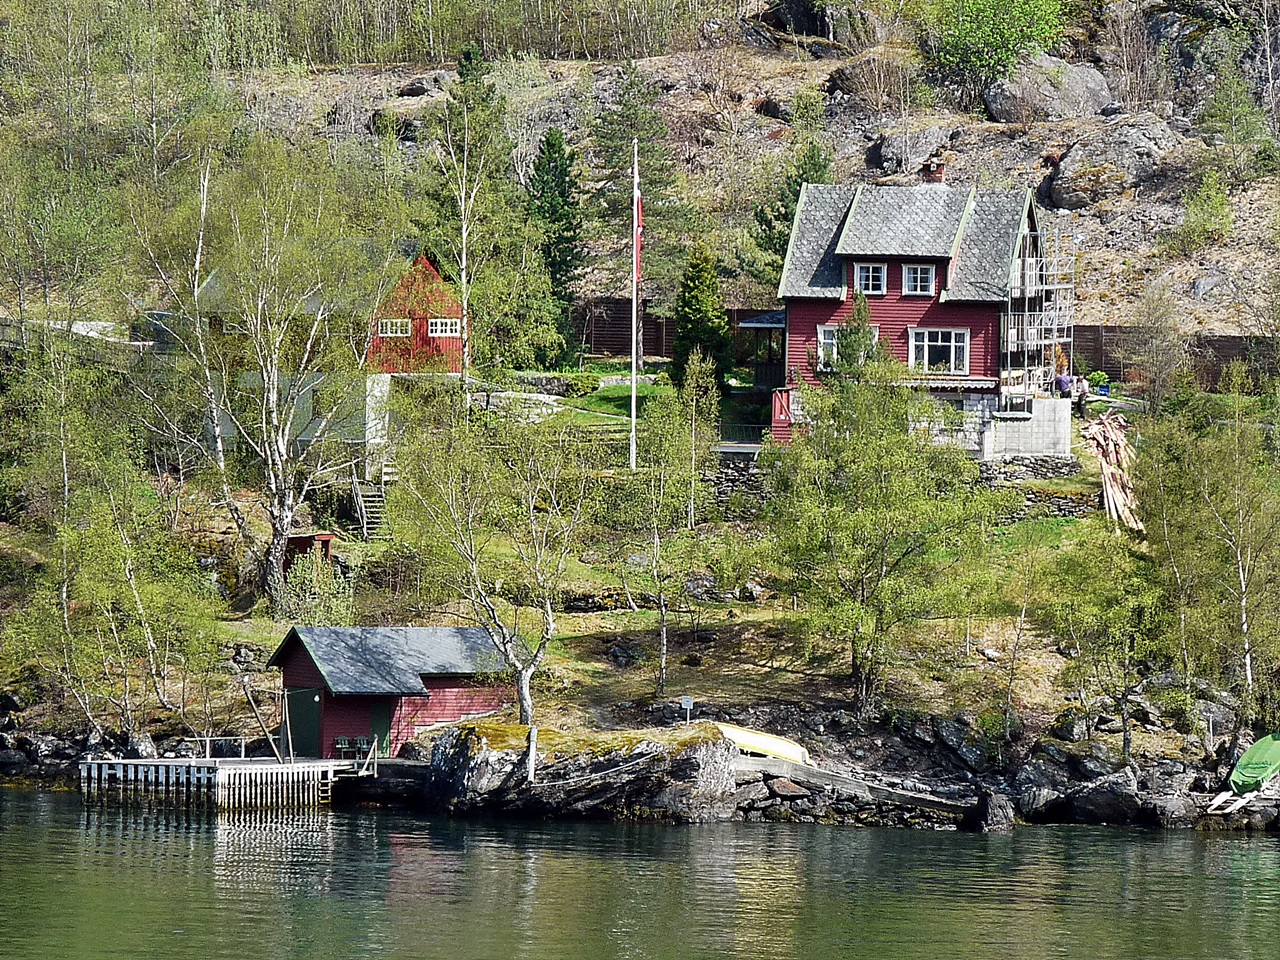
[419,326]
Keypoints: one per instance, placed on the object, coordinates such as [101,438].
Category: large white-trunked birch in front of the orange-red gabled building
[267,298]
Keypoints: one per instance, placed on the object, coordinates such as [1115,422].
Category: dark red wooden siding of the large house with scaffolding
[893,314]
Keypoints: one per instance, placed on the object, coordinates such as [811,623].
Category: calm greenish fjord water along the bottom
[77,884]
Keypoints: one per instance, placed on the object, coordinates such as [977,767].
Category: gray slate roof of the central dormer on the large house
[904,222]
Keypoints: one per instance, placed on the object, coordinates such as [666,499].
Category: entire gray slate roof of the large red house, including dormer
[976,230]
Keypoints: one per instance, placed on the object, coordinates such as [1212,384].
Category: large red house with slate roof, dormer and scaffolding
[956,281]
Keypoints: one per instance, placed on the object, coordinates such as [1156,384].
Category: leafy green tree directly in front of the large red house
[870,514]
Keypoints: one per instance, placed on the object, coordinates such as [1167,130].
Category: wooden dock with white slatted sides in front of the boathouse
[216,784]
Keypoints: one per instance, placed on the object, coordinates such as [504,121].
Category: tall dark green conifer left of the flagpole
[555,193]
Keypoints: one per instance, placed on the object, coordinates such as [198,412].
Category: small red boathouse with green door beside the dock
[345,685]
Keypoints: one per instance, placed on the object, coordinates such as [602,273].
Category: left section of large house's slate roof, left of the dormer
[813,268]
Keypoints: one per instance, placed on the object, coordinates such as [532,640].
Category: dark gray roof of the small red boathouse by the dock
[392,660]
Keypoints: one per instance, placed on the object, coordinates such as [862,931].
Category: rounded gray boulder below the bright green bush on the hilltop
[1048,89]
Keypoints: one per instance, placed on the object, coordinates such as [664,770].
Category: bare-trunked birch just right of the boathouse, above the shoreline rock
[502,508]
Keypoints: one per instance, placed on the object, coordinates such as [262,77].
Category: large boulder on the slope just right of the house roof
[1113,159]
